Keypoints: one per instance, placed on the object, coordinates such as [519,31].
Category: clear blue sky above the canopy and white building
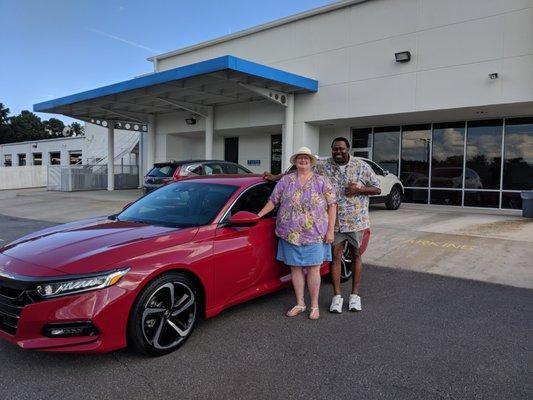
[54,48]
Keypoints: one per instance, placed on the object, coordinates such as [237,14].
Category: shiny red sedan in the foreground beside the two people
[145,276]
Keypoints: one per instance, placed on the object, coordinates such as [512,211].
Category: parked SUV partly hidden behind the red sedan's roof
[166,172]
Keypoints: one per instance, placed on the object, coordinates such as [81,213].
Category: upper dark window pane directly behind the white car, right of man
[385,148]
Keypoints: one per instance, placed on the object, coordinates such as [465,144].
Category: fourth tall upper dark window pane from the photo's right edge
[416,142]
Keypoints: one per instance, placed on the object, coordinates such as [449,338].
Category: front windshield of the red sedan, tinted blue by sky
[180,205]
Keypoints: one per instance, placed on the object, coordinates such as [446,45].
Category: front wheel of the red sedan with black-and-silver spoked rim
[163,315]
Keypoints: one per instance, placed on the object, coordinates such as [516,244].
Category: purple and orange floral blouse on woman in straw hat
[303,210]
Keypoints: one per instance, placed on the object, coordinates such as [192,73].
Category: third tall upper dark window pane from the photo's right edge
[447,155]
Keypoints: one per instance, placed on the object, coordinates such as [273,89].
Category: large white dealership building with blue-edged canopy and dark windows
[438,92]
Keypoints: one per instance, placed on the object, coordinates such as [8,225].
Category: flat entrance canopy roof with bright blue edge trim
[212,82]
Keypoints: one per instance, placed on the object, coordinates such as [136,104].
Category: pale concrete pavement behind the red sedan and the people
[485,245]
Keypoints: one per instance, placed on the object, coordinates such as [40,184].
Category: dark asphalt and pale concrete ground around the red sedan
[425,332]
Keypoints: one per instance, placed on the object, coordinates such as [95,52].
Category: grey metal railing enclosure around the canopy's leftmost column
[71,178]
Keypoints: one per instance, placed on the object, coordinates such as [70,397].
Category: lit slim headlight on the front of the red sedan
[63,288]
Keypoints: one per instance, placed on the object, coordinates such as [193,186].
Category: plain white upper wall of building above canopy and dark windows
[350,51]
